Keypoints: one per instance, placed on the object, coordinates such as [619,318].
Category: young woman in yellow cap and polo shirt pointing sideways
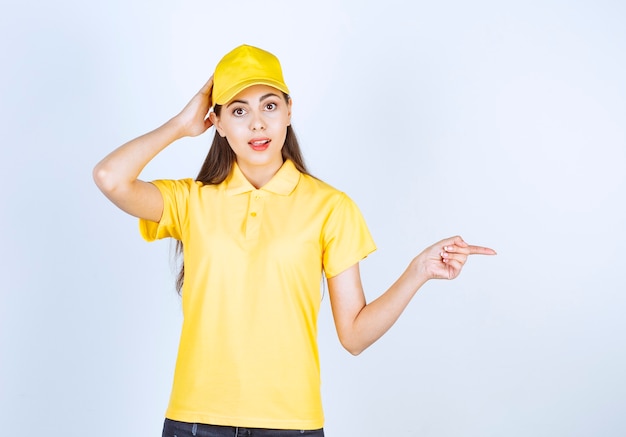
[257,232]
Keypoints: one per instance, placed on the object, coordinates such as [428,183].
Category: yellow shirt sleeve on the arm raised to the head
[175,206]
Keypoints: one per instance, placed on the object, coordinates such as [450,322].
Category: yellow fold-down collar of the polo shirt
[282,183]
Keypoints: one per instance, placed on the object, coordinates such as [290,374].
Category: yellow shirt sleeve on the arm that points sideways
[346,238]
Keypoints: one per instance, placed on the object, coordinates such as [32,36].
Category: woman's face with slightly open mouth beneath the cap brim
[255,124]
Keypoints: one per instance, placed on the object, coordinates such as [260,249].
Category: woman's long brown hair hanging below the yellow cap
[219,163]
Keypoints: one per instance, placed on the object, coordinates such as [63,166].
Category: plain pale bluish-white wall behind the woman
[501,121]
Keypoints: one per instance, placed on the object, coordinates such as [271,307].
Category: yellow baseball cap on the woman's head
[243,67]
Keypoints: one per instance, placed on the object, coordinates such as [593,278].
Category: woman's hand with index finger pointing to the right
[445,259]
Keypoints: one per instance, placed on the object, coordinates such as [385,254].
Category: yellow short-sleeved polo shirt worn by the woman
[248,352]
